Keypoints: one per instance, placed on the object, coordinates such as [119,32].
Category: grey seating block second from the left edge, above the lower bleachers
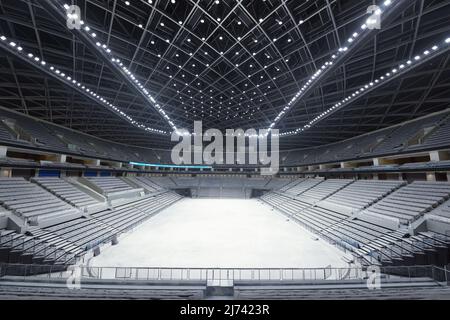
[67,191]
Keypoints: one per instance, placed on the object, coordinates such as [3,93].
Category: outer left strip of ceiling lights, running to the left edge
[70,81]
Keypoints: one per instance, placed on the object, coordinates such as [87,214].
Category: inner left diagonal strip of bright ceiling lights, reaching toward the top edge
[128,73]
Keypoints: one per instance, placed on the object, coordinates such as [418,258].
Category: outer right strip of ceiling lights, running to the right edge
[434,50]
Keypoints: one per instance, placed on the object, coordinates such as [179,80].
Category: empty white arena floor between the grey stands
[220,233]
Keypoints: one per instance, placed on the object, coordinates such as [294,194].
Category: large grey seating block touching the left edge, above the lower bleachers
[31,201]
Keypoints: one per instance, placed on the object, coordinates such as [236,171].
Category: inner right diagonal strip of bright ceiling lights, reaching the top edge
[364,27]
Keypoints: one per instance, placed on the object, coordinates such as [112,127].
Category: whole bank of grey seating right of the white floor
[366,216]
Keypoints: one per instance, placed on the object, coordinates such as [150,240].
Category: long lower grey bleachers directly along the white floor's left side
[63,243]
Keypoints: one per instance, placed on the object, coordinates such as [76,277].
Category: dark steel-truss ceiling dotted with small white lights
[232,64]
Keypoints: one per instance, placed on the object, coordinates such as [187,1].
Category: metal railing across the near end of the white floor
[233,274]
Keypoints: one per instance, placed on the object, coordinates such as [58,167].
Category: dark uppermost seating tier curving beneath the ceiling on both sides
[425,132]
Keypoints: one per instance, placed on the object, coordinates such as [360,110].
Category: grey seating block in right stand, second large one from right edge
[363,193]
